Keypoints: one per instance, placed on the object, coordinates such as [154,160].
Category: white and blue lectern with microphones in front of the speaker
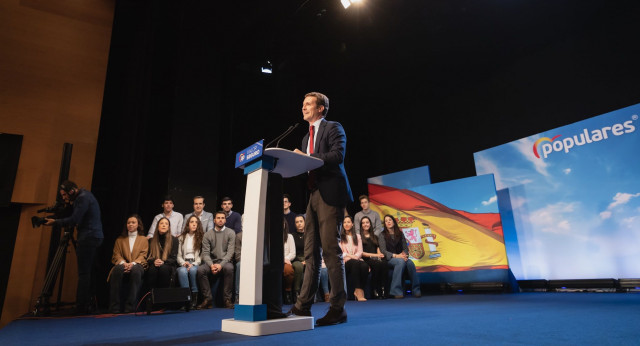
[260,166]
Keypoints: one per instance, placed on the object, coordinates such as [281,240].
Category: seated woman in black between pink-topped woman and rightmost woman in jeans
[374,258]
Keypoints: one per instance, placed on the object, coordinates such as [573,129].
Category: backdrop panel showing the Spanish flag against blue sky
[453,228]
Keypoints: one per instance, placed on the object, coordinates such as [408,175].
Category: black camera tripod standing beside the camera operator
[43,306]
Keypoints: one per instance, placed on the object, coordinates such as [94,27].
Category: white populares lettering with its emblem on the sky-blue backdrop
[549,145]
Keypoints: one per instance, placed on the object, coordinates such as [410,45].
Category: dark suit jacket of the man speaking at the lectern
[331,178]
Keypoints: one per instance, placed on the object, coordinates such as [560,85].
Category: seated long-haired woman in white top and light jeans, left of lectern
[189,256]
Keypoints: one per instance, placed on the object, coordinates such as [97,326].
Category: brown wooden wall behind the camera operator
[53,61]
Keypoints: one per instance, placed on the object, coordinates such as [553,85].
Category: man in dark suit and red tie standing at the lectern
[329,194]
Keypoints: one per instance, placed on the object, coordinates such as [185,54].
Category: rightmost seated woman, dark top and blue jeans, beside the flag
[394,247]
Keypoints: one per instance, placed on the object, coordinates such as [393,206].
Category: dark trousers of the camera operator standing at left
[86,250]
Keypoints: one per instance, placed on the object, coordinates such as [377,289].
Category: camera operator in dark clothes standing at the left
[86,216]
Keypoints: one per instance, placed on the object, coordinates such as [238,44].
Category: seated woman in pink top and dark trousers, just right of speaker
[356,269]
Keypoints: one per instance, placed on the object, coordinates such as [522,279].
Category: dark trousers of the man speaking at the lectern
[321,231]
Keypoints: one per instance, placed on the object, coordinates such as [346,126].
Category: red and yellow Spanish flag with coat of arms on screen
[441,239]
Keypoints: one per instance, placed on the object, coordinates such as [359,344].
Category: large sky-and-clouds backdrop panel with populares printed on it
[574,196]
